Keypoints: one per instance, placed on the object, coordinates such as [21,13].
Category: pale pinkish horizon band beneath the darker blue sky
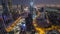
[39,5]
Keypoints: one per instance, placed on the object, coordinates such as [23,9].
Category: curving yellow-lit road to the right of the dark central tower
[41,30]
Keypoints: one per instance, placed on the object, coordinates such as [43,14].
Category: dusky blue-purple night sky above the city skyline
[14,2]
